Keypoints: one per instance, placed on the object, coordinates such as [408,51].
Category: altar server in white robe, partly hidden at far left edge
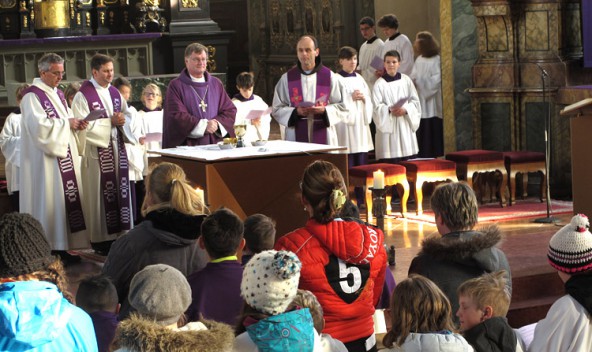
[10,144]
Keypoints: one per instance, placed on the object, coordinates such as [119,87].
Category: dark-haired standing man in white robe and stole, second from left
[105,167]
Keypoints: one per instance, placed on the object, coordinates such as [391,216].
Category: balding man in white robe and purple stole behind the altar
[307,99]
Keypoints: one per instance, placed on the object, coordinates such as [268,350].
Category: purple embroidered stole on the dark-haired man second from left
[116,191]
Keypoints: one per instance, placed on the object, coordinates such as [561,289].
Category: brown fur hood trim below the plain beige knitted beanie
[139,334]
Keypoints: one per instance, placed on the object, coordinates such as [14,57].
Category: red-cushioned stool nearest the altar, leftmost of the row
[362,176]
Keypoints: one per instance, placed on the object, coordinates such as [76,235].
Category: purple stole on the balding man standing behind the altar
[323,89]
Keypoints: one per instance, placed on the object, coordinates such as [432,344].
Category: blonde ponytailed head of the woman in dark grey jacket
[167,186]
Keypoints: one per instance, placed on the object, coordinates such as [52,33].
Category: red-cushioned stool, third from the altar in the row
[470,162]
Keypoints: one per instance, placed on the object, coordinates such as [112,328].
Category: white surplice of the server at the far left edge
[10,144]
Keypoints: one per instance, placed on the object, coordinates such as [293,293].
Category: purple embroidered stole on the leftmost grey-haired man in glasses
[66,166]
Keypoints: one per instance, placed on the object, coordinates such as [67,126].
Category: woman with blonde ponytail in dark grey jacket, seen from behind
[173,213]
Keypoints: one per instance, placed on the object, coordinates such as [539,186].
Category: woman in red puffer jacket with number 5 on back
[343,260]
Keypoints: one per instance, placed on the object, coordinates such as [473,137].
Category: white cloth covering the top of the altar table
[212,152]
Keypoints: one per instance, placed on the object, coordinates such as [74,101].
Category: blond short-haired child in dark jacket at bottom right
[483,304]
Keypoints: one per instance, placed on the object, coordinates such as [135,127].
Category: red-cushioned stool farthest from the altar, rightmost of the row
[524,162]
